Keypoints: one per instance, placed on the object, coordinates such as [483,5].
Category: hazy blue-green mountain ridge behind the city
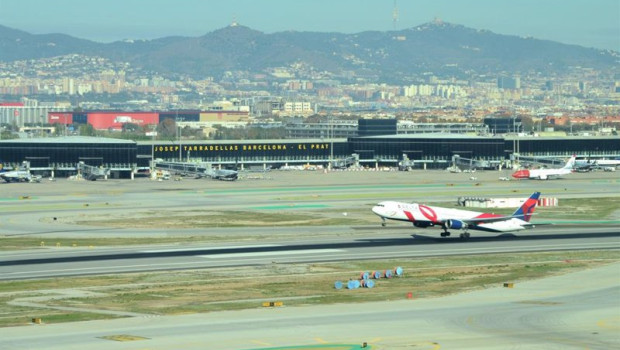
[441,48]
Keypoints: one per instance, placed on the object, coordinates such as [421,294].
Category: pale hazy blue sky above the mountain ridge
[590,23]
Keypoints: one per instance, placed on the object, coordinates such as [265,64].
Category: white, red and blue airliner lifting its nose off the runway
[424,216]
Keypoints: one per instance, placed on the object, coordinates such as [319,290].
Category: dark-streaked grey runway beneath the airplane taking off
[58,262]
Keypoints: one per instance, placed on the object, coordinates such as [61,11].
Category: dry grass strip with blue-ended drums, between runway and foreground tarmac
[164,293]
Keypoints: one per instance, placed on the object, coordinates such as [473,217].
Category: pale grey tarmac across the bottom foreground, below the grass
[573,311]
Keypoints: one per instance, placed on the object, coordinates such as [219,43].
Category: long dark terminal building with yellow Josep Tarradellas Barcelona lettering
[123,157]
